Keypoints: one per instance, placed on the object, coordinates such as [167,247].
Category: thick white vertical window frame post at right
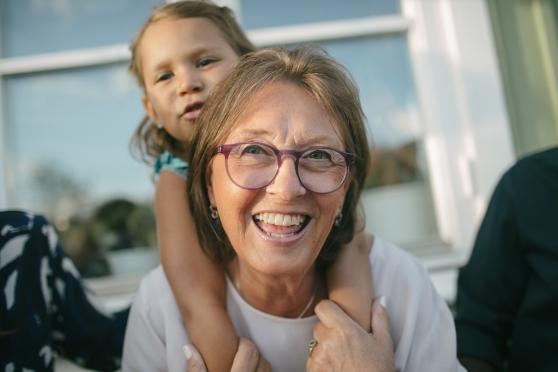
[449,42]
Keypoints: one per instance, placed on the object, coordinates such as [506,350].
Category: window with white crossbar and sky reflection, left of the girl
[69,108]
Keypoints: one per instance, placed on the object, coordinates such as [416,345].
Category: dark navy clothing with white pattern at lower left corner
[44,308]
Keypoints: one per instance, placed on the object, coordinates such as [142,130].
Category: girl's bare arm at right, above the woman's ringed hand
[350,279]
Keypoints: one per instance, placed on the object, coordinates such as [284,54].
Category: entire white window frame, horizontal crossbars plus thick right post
[448,41]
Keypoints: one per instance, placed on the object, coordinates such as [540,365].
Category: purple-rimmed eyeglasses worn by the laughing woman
[254,165]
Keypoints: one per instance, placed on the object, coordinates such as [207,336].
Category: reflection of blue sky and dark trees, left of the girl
[68,135]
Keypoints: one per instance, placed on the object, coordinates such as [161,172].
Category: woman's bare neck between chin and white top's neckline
[288,296]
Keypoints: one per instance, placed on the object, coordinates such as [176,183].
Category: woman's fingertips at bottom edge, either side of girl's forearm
[247,359]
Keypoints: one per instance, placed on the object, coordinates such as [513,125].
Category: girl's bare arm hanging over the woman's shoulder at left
[197,282]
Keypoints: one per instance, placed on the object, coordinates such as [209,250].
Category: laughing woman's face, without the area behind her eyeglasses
[262,224]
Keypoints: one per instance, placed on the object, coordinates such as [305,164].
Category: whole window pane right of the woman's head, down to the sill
[398,192]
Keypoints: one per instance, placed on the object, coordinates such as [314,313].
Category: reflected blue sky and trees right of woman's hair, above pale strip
[381,67]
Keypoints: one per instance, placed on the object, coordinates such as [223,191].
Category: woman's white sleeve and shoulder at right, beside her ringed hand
[420,321]
